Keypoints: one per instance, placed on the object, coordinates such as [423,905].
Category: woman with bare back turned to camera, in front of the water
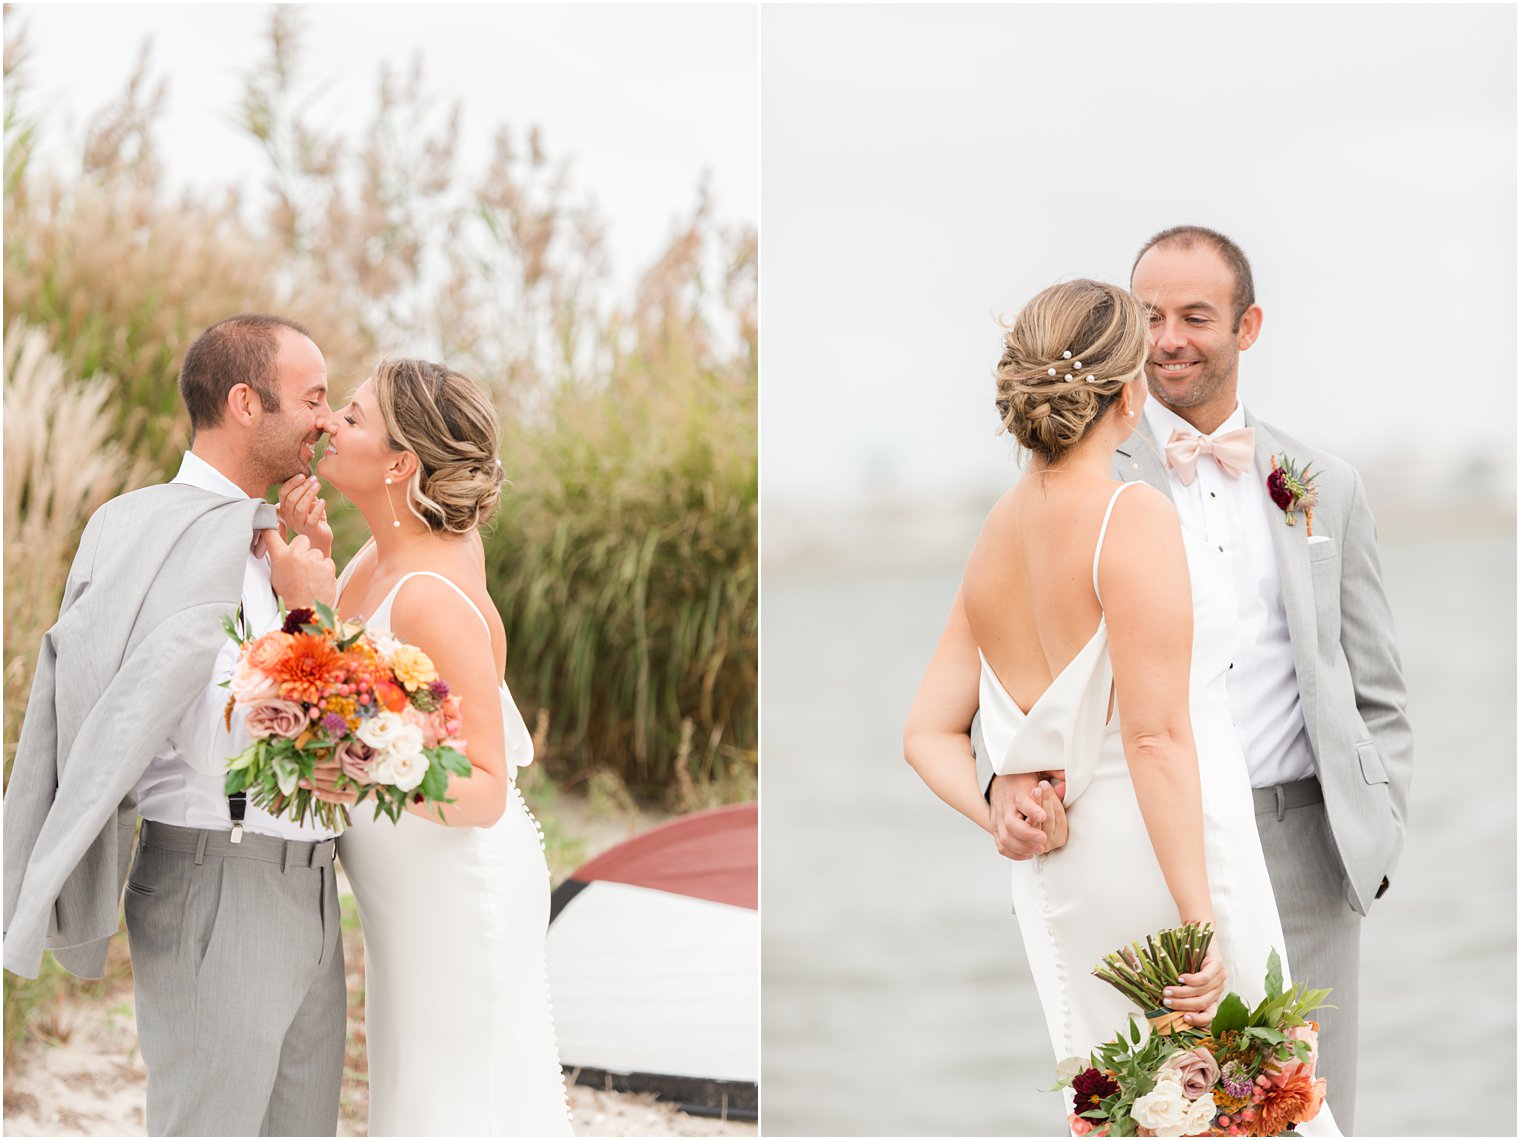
[1094,636]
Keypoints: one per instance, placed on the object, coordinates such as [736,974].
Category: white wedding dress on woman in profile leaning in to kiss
[458,1024]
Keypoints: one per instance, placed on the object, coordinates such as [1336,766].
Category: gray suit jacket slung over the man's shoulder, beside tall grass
[135,644]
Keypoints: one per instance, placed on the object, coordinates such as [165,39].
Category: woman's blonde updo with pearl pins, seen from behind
[1098,326]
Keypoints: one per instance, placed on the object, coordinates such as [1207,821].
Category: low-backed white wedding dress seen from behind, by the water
[1104,888]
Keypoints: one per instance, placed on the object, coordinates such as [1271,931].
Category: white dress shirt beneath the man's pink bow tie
[1237,516]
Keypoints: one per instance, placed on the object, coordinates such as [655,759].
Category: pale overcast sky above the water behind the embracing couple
[928,168]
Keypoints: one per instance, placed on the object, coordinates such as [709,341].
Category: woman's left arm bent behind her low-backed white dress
[937,738]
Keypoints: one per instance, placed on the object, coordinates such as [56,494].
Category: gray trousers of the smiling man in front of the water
[1322,928]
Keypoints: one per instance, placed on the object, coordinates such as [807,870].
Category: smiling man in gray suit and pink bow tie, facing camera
[1316,688]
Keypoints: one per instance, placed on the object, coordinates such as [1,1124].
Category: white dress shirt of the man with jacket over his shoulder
[185,782]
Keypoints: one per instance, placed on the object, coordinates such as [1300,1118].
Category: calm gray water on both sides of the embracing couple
[898,999]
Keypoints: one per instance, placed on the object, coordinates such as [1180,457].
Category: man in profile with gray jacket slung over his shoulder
[232,914]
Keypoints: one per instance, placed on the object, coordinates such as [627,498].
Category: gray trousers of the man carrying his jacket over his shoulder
[239,974]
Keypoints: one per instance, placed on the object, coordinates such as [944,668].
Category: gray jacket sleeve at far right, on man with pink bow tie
[1367,636]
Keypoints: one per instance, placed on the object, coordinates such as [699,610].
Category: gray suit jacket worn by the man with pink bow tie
[1351,683]
